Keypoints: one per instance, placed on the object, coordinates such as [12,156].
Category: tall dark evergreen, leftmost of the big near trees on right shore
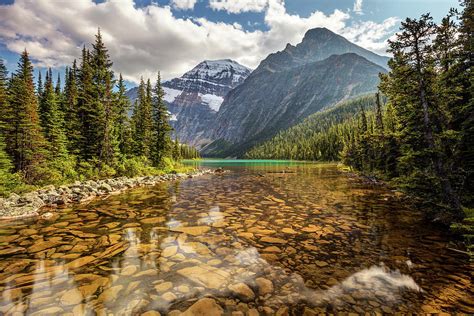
[423,161]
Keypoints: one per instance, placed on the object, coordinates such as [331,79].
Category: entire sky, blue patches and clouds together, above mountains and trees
[174,35]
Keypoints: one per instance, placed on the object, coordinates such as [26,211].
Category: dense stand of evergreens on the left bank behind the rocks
[53,133]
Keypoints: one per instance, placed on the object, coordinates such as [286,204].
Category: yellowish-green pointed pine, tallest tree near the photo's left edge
[27,146]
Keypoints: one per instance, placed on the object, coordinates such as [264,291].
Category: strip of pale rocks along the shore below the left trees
[29,204]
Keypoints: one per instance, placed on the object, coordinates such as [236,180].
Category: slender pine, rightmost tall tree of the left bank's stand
[161,127]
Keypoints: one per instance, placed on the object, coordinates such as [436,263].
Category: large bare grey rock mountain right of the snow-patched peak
[288,86]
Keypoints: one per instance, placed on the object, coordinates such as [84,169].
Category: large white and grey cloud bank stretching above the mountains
[142,40]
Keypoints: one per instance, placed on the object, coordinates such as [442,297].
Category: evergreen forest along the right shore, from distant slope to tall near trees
[422,137]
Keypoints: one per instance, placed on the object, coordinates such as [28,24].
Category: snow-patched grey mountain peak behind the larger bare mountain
[195,98]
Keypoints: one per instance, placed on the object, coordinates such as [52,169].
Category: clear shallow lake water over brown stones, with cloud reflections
[263,239]
